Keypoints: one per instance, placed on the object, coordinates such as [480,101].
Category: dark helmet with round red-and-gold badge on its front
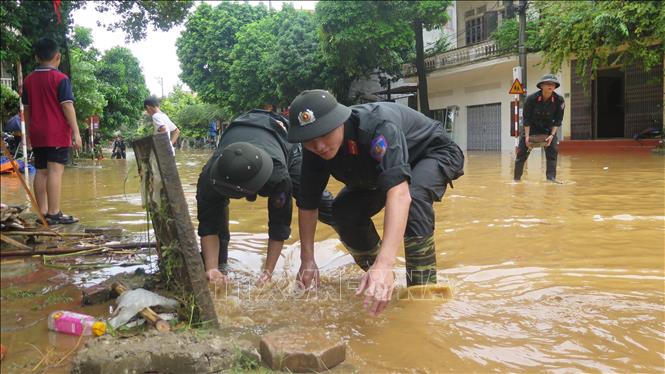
[315,113]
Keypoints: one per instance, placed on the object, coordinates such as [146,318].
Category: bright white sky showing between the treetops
[157,52]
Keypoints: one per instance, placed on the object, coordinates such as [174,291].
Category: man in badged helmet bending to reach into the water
[387,155]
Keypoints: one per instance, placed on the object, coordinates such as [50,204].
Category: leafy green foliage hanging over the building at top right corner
[596,34]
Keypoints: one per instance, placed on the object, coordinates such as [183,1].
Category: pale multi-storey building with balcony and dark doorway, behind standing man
[470,85]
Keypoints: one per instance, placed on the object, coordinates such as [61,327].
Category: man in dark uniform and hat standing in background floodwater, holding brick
[543,113]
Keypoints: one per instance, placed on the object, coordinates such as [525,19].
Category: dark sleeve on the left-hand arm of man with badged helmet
[314,177]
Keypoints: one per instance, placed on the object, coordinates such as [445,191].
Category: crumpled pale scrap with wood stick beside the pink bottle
[132,302]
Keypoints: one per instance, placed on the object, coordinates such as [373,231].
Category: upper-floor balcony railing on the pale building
[459,56]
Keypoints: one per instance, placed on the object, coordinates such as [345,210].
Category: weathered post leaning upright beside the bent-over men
[181,265]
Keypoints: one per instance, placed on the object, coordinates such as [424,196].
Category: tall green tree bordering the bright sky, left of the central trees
[205,46]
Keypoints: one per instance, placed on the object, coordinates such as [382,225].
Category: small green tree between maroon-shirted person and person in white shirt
[123,85]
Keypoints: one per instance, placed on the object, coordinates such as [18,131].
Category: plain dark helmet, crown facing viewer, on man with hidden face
[240,170]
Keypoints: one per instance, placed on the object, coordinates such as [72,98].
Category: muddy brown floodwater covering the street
[545,277]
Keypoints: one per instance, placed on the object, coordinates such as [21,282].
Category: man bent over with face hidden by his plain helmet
[253,158]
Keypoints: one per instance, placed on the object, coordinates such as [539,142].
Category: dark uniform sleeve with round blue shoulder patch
[389,148]
